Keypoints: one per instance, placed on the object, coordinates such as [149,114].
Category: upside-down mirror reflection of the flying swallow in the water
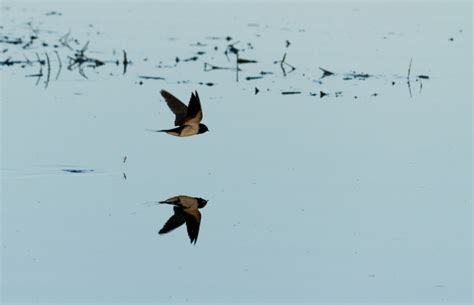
[185,211]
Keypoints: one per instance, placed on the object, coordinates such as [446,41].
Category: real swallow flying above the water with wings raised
[188,119]
